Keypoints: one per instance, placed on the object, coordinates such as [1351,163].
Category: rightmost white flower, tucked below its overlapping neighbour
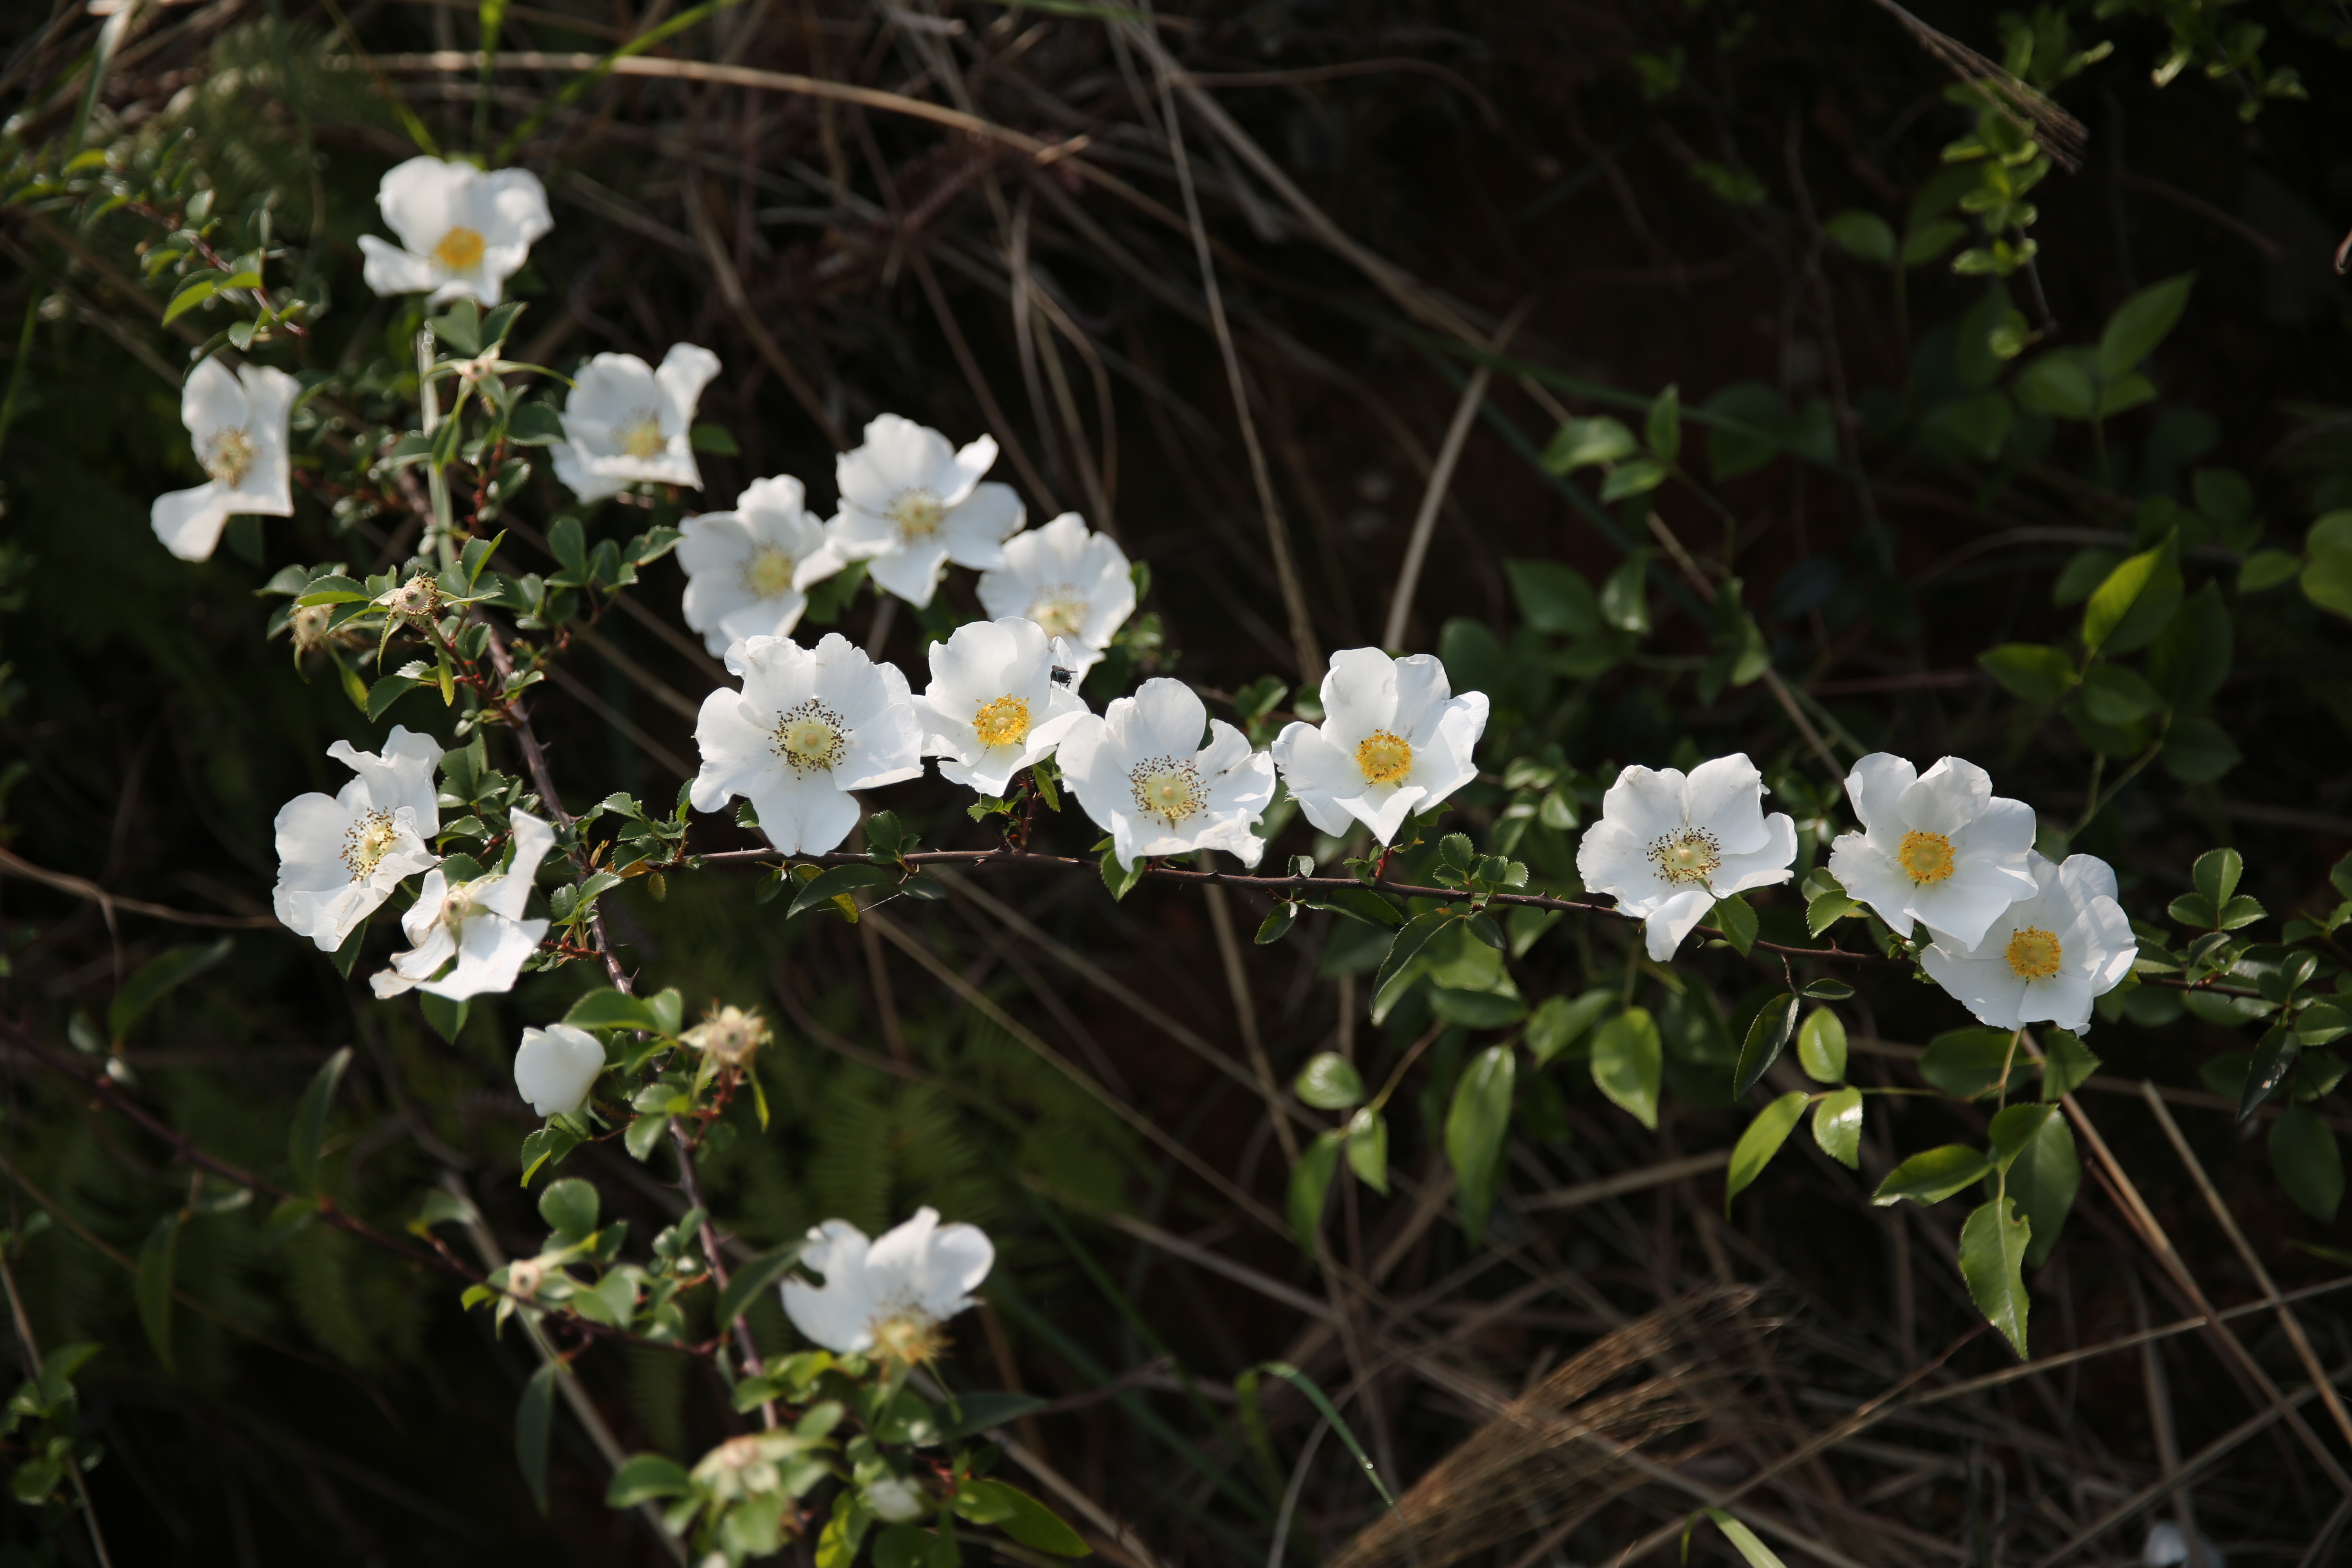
[2045,956]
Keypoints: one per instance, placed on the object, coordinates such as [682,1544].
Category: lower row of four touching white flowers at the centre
[1154,770]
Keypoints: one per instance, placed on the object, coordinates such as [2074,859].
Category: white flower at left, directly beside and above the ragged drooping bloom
[340,857]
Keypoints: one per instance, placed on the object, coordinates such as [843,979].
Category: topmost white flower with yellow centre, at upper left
[462,232]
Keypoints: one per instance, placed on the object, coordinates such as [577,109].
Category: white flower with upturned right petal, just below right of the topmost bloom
[632,424]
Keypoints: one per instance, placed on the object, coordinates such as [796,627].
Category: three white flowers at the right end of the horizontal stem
[2014,937]
